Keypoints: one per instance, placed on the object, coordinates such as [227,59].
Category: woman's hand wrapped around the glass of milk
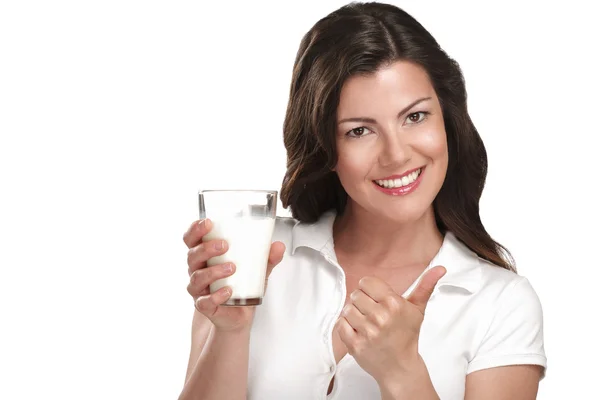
[225,318]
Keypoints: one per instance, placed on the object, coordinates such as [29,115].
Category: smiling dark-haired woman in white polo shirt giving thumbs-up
[415,300]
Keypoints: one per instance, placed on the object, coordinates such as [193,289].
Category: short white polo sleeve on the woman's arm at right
[516,334]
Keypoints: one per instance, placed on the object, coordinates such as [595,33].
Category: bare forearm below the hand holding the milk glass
[222,369]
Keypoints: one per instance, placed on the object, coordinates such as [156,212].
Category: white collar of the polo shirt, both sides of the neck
[462,265]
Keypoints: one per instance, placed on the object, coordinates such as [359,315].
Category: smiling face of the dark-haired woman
[391,142]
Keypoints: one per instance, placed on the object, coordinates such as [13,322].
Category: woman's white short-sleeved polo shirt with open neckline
[479,316]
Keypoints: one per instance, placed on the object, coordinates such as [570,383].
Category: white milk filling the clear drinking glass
[249,240]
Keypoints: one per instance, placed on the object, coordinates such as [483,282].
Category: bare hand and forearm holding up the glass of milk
[220,335]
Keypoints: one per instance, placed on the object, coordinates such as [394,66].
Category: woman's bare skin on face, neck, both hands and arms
[378,326]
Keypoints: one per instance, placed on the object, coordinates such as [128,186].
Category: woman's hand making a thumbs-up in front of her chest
[381,328]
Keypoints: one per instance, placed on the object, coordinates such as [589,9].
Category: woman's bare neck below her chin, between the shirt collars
[380,243]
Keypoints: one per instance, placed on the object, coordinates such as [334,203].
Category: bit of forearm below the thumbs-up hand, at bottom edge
[415,383]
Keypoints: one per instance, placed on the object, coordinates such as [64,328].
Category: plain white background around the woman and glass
[114,113]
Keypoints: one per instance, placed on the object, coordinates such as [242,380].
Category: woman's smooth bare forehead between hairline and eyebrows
[390,87]
